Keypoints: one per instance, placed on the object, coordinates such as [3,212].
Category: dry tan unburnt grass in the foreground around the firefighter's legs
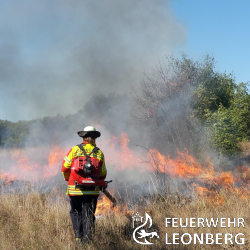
[42,222]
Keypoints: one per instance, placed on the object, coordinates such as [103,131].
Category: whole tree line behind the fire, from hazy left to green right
[183,103]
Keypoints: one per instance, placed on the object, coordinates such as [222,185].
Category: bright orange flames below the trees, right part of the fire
[208,181]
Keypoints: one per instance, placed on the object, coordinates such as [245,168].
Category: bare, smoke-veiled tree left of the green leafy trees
[164,102]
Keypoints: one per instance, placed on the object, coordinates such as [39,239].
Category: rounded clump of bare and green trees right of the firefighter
[188,104]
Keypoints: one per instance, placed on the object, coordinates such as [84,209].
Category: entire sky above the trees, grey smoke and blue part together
[56,54]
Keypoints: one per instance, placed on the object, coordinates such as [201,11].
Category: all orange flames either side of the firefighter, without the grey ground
[42,164]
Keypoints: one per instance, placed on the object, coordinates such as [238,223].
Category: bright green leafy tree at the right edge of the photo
[231,125]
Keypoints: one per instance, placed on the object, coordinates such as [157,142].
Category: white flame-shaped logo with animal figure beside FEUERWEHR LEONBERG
[142,233]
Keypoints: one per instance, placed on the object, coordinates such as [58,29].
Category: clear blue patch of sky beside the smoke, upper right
[220,28]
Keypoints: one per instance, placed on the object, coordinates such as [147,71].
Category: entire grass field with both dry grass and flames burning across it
[180,187]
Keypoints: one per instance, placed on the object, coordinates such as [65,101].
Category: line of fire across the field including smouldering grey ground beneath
[182,175]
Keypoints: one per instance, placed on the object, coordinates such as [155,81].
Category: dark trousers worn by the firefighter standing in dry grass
[82,215]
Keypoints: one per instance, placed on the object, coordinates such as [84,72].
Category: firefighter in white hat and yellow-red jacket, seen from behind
[83,199]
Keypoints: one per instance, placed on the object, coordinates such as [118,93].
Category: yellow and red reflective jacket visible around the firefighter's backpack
[74,153]
